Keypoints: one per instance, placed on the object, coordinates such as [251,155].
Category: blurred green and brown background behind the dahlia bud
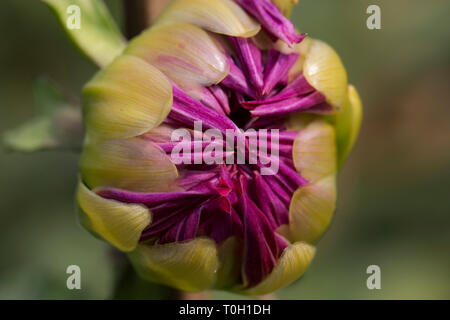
[394,191]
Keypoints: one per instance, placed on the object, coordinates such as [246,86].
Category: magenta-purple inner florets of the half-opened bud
[224,200]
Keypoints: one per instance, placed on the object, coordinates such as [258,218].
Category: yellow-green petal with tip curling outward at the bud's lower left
[118,223]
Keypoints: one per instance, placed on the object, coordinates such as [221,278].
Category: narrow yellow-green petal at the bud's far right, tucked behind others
[348,123]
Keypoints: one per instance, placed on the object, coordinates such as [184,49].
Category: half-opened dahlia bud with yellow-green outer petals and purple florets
[233,65]
